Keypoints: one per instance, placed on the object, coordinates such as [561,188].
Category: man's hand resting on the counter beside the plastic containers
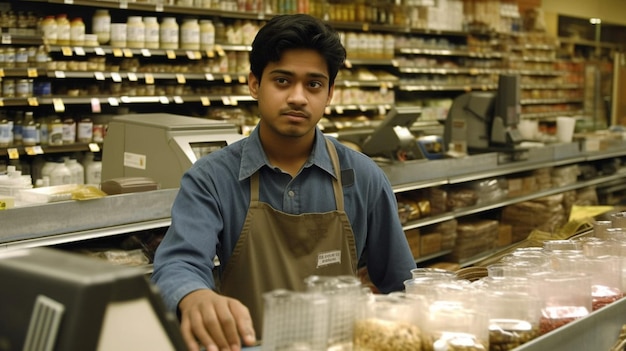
[217,322]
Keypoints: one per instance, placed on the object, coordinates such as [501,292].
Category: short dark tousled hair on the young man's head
[298,31]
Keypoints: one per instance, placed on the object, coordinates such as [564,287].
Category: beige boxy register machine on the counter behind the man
[161,146]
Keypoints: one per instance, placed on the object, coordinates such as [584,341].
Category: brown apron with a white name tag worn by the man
[278,250]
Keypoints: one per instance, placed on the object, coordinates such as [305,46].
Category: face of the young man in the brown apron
[293,93]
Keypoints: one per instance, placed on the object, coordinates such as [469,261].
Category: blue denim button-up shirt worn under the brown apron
[211,206]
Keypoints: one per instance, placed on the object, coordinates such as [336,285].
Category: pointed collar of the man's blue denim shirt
[253,156]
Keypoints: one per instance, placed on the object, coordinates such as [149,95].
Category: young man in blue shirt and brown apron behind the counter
[281,205]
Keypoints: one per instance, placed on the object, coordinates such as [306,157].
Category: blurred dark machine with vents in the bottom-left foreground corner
[56,300]
